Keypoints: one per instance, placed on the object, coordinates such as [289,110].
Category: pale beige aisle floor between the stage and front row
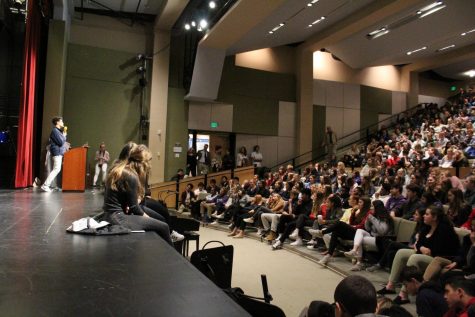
[293,280]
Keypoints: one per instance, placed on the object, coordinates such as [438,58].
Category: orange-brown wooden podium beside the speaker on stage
[74,169]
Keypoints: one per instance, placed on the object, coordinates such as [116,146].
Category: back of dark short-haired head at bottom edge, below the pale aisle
[355,296]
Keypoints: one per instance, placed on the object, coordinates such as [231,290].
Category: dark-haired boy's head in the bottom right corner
[460,297]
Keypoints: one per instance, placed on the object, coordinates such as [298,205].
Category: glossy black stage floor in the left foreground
[48,272]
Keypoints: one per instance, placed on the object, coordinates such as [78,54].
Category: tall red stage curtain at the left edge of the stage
[24,160]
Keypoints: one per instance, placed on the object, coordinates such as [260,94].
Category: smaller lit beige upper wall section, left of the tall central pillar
[278,59]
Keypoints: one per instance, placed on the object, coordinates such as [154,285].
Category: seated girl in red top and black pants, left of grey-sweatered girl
[341,230]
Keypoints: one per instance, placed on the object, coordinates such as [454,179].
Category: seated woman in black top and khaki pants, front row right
[438,238]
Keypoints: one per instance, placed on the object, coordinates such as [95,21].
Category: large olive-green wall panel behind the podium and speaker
[102,98]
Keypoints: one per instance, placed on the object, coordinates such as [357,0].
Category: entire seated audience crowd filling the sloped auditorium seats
[405,172]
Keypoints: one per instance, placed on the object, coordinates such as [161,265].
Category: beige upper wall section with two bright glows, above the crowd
[327,68]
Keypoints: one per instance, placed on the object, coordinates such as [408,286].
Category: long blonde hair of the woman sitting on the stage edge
[137,164]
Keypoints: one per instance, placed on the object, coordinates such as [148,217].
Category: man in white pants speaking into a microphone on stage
[57,142]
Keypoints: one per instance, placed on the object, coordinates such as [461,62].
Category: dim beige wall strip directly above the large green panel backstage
[106,32]
